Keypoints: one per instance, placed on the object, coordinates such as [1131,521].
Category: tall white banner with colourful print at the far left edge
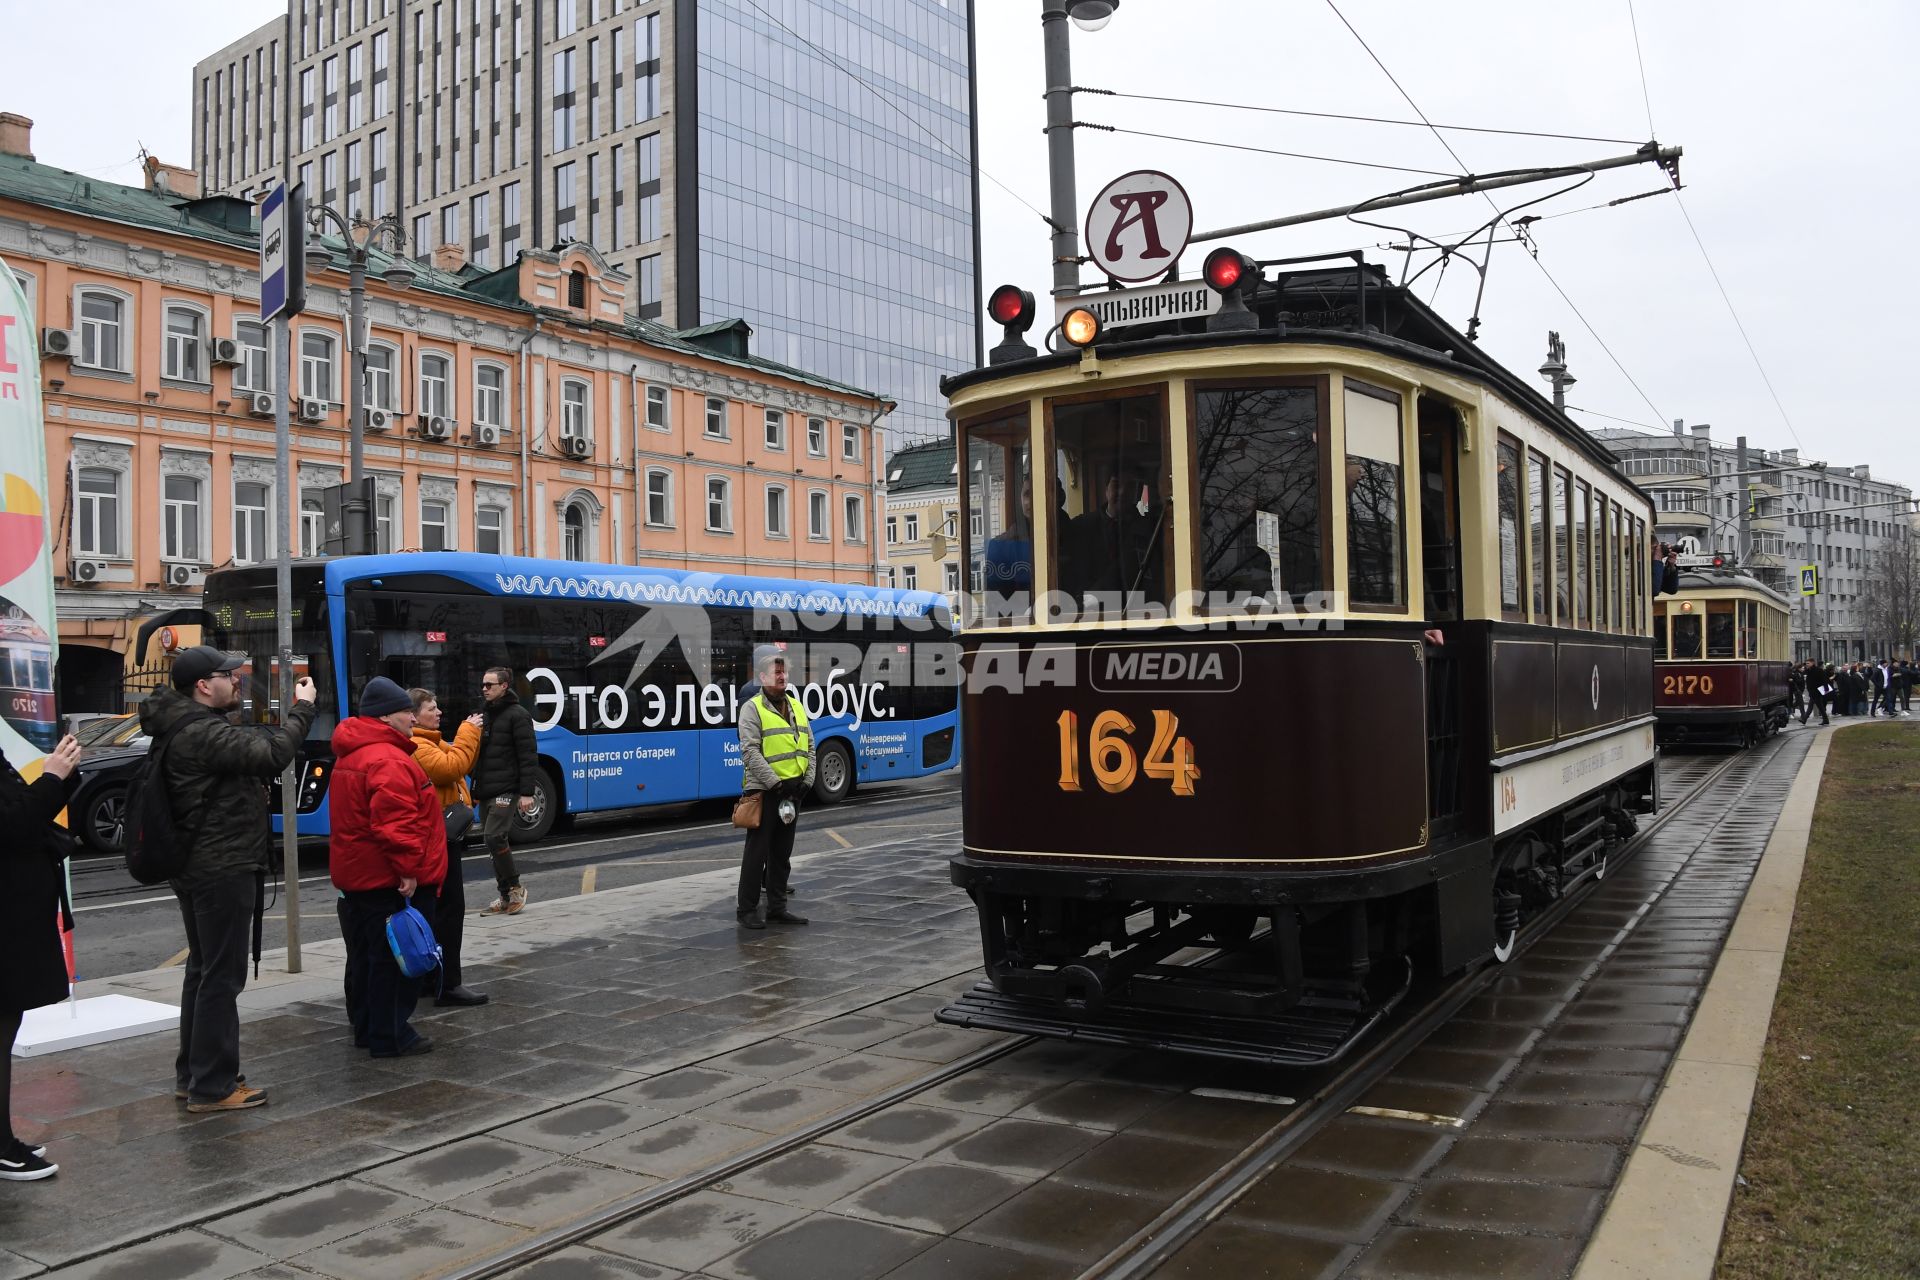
[28,630]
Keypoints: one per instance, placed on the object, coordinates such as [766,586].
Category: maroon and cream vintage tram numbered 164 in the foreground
[1308,650]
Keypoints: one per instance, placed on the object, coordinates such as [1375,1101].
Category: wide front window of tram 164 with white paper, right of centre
[1257,454]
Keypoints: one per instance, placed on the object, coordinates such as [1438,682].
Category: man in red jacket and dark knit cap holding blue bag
[389,845]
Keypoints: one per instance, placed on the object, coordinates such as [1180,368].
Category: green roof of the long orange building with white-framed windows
[216,220]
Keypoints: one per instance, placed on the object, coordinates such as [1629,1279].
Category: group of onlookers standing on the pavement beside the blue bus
[402,807]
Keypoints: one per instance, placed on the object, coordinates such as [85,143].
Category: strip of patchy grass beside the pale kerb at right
[1833,1160]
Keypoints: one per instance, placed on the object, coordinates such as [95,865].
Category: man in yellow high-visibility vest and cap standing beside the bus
[777,753]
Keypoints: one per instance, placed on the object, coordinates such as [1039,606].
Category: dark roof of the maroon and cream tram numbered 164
[1330,300]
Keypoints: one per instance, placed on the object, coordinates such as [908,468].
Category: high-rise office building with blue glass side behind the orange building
[802,164]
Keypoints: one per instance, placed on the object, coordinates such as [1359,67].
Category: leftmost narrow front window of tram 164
[997,494]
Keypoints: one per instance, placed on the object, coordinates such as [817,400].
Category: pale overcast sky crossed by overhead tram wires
[1796,122]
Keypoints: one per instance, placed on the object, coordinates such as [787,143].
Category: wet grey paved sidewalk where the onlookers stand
[588,995]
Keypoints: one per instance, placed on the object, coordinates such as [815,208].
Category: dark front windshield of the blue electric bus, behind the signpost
[243,609]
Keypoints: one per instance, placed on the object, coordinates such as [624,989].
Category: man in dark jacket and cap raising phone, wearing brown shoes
[216,776]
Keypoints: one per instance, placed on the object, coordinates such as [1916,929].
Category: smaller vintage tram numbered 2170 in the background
[1719,657]
